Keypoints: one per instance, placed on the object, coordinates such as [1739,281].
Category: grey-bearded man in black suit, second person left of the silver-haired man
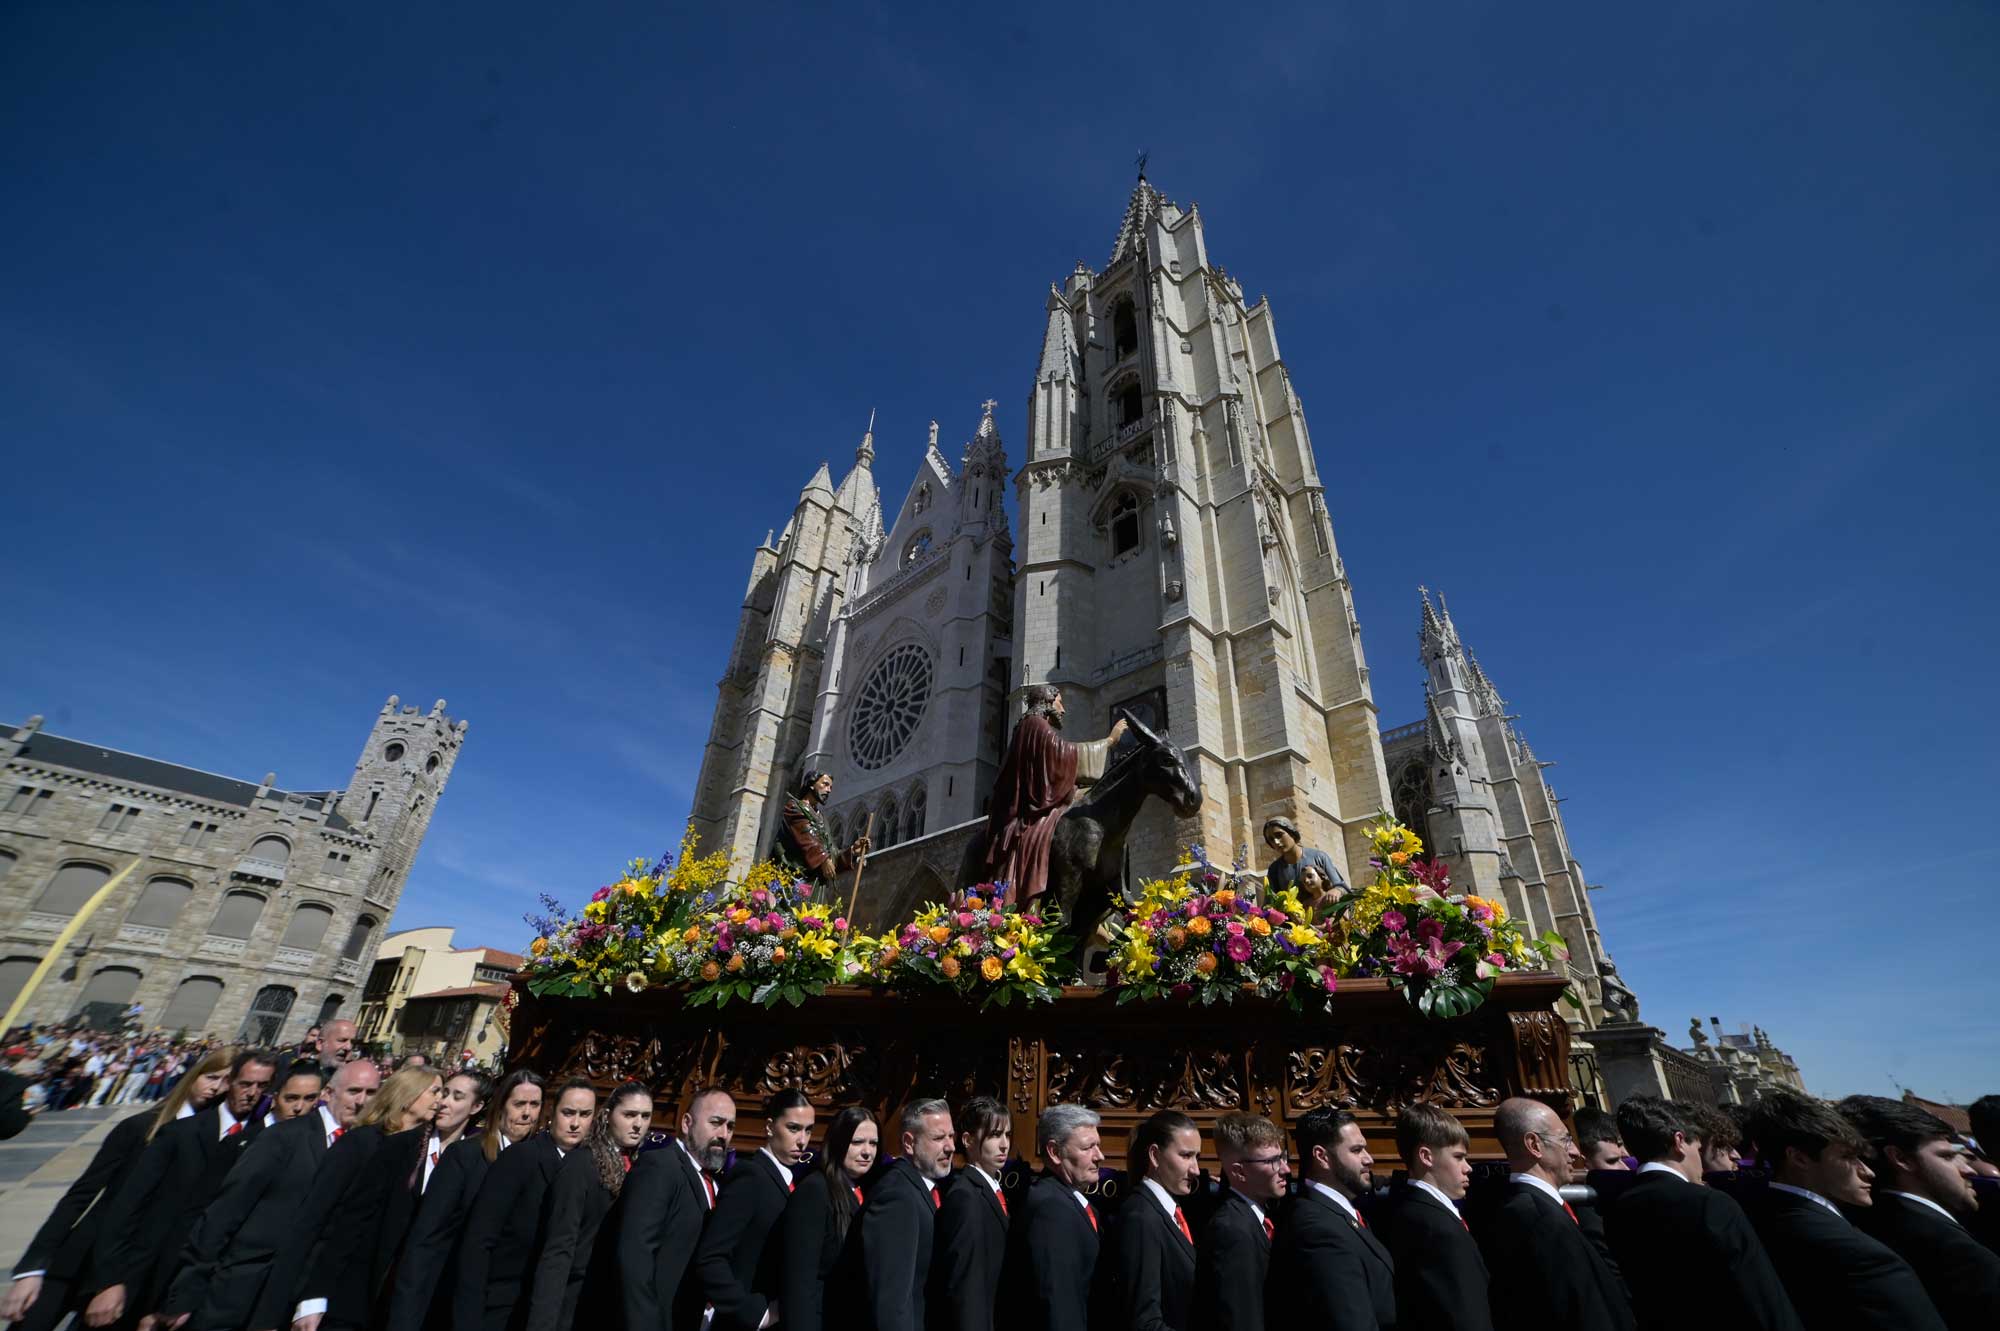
[895,1230]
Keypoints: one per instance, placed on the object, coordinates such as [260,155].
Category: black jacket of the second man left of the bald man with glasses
[1327,1270]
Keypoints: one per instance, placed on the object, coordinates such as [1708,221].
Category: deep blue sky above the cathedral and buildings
[469,351]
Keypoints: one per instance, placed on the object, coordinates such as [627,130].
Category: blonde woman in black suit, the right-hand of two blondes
[361,1206]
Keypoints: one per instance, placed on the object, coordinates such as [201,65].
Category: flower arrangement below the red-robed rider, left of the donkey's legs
[979,948]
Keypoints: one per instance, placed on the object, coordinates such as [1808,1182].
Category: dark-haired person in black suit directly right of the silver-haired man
[1147,1274]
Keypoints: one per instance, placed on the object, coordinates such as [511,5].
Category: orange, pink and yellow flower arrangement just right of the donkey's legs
[1203,934]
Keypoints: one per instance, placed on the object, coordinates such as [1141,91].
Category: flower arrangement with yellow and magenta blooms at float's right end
[1443,950]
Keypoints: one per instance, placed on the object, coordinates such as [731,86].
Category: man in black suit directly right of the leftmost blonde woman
[179,1174]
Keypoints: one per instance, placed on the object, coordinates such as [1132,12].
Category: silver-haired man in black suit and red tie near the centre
[1053,1244]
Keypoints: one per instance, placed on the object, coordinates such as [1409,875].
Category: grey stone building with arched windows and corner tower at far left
[245,910]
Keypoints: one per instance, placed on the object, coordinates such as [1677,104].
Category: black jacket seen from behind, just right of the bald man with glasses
[1693,1260]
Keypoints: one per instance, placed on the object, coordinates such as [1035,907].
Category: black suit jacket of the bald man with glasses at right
[1545,1272]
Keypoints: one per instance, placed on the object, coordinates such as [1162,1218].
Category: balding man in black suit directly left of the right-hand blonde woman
[225,1280]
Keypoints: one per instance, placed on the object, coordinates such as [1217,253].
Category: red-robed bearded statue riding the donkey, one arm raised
[1037,782]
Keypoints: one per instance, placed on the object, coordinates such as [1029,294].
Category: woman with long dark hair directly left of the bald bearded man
[579,1202]
